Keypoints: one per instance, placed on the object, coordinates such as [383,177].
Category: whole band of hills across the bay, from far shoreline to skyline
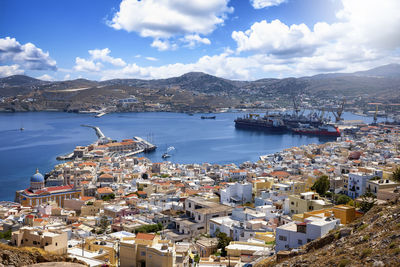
[200,92]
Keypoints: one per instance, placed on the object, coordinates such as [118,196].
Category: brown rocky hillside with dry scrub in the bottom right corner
[373,240]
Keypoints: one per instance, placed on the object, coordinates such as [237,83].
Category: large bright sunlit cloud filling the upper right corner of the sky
[365,34]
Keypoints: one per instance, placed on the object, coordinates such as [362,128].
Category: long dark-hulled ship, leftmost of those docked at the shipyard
[266,123]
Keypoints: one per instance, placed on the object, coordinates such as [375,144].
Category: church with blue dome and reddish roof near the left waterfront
[37,193]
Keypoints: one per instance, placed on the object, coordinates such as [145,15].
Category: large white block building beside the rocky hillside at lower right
[296,234]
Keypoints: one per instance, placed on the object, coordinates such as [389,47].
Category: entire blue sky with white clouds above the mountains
[234,39]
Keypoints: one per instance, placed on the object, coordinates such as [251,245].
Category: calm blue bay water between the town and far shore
[49,134]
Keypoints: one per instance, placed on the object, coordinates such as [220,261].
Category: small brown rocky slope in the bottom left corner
[28,256]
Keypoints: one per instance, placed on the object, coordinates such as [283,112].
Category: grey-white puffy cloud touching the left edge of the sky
[27,56]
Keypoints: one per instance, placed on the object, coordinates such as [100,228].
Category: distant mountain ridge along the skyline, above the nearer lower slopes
[380,82]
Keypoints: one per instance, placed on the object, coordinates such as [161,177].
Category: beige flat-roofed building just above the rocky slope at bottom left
[51,241]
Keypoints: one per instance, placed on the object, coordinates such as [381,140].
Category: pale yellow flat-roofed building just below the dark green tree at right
[307,201]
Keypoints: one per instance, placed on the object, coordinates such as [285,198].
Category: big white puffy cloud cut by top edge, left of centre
[164,19]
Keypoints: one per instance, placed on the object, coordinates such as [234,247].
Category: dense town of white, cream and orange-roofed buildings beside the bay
[110,207]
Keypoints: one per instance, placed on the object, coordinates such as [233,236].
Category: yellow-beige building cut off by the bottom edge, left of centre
[147,250]
